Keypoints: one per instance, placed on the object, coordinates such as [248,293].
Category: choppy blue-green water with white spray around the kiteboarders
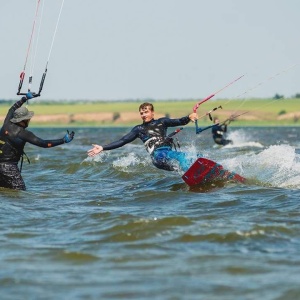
[115,227]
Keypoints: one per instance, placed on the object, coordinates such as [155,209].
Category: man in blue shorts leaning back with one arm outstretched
[153,134]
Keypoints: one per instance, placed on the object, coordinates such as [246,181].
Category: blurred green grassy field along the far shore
[260,112]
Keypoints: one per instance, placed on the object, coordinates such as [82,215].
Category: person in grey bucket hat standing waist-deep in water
[13,137]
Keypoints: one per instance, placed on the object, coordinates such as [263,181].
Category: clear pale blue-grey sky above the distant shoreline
[153,49]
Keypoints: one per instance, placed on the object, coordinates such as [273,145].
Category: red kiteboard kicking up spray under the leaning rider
[204,171]
